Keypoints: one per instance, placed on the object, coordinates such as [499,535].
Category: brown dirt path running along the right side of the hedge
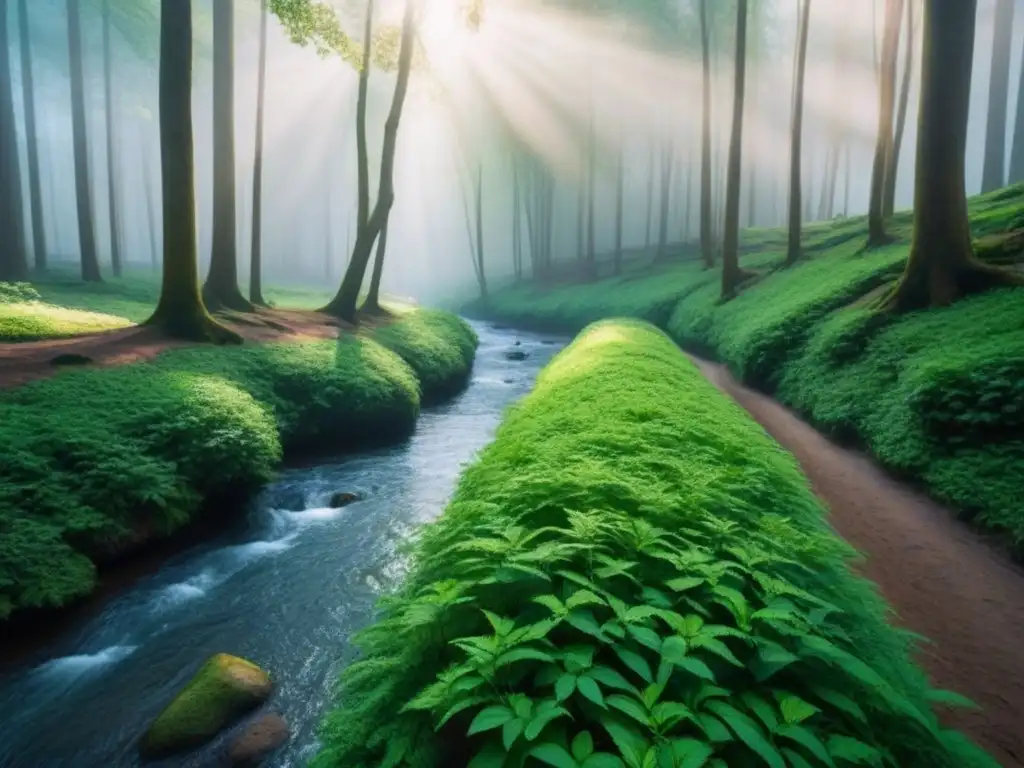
[944,581]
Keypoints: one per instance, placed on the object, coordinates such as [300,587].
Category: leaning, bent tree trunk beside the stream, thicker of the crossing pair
[344,305]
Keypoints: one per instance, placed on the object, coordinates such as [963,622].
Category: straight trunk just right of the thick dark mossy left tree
[222,289]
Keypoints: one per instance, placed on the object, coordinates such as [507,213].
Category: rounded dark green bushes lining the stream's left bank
[96,461]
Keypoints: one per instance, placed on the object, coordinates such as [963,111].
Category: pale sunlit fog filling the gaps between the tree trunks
[530,82]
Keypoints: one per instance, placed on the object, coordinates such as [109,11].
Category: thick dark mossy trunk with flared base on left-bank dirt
[181,312]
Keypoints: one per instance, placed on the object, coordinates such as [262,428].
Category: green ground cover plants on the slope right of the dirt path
[935,395]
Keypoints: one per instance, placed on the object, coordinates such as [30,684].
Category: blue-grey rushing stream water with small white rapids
[288,592]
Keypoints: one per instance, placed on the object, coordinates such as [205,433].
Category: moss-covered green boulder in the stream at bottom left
[224,690]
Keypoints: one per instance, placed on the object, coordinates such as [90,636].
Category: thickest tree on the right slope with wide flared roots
[942,268]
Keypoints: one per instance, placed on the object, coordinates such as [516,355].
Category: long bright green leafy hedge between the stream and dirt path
[634,575]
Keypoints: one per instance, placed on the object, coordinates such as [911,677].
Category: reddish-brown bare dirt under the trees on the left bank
[25,362]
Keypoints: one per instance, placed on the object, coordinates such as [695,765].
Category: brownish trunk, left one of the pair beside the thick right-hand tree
[877,235]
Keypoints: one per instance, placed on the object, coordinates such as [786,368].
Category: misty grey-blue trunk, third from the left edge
[83,189]
